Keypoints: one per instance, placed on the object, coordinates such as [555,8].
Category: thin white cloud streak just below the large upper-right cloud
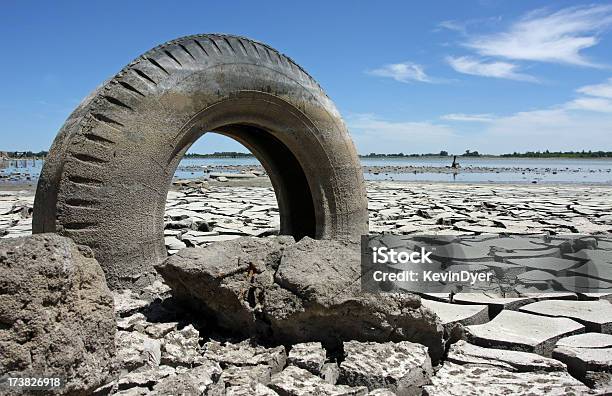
[496,69]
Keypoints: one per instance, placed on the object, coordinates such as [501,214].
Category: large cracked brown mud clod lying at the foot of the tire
[289,293]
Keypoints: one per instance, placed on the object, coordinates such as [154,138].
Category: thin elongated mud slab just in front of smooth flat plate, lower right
[467,354]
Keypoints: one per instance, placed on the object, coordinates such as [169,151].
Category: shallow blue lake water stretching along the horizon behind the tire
[511,170]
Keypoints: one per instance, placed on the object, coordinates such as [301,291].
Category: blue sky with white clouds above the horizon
[493,76]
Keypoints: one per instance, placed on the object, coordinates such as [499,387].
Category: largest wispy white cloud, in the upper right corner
[557,37]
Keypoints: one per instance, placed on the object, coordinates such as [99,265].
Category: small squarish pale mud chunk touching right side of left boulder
[136,350]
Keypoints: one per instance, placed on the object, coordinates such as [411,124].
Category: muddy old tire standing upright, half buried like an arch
[108,172]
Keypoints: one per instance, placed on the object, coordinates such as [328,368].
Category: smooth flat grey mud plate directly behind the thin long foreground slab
[522,332]
